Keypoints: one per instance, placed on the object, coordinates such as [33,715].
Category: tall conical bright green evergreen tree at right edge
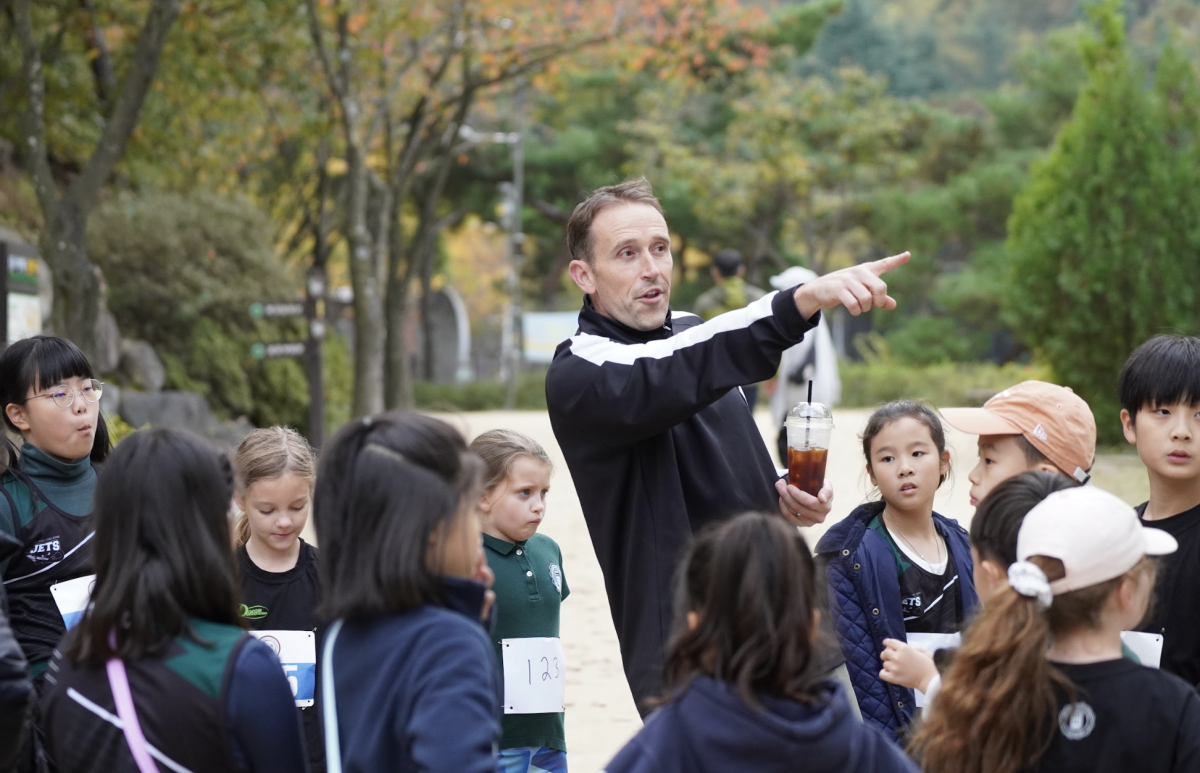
[1103,243]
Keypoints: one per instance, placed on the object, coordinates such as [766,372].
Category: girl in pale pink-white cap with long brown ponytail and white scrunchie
[1040,682]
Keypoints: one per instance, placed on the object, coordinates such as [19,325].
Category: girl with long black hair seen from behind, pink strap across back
[164,630]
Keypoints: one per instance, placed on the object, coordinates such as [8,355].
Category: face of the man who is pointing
[629,275]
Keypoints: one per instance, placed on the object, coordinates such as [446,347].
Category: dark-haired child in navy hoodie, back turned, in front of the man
[742,685]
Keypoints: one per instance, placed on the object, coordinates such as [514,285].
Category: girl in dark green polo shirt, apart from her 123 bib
[530,586]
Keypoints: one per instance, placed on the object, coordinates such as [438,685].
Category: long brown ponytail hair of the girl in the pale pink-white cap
[997,710]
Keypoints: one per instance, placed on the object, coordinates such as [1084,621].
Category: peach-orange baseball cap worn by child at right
[1054,420]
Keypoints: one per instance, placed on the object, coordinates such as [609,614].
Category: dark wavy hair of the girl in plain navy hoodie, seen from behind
[753,583]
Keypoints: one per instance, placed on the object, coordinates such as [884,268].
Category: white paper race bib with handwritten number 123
[535,676]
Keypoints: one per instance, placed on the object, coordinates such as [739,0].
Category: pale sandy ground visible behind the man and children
[601,715]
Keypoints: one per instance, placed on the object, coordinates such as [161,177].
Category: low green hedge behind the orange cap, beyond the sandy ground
[946,385]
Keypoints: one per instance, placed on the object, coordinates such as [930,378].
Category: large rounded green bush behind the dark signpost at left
[183,274]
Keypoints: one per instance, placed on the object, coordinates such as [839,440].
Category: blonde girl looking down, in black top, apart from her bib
[274,476]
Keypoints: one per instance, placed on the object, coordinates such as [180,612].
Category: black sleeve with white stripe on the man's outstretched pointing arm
[625,393]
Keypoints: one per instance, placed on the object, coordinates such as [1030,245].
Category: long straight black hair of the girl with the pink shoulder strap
[161,548]
